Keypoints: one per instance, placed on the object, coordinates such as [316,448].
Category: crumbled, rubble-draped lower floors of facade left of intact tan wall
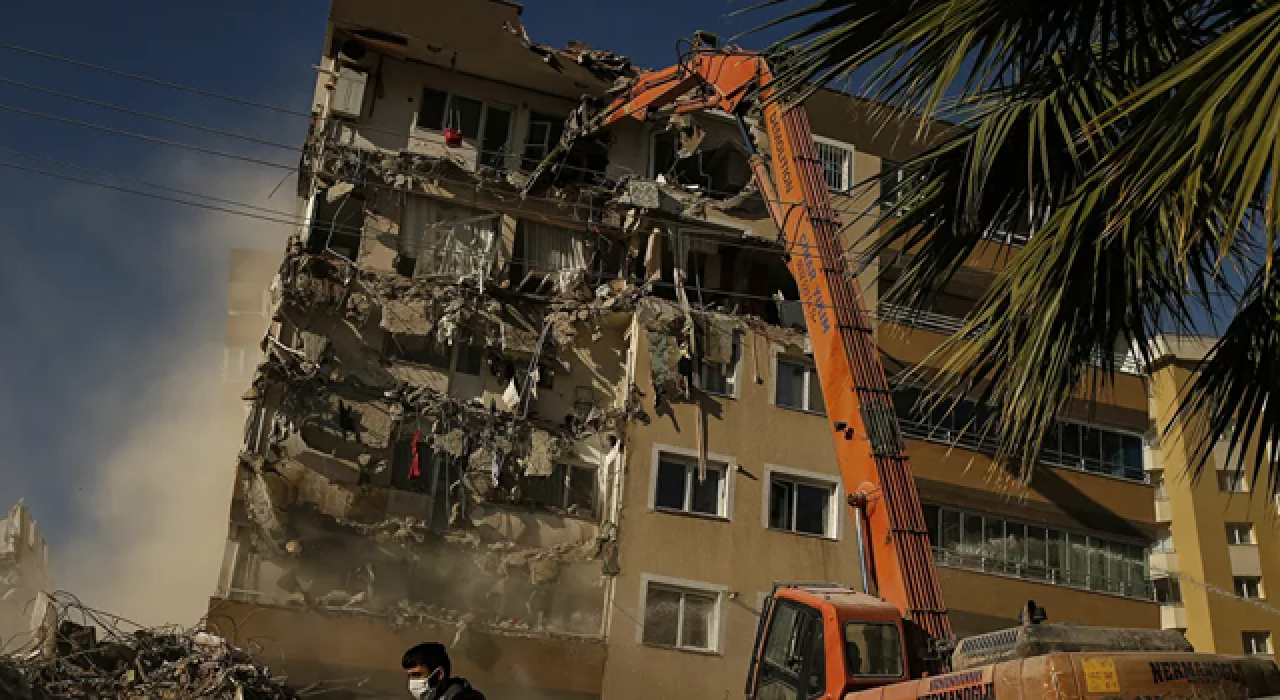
[339,520]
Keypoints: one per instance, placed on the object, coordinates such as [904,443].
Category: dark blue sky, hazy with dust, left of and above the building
[113,305]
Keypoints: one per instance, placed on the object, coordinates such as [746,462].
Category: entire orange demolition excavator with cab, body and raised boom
[828,640]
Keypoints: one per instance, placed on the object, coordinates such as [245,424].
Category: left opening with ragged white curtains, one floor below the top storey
[441,239]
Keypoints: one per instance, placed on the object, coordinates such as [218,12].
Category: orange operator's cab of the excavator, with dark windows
[824,640]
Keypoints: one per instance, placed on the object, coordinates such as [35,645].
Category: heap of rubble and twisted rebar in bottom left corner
[104,661]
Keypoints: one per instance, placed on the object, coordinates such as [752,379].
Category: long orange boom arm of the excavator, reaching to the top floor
[877,475]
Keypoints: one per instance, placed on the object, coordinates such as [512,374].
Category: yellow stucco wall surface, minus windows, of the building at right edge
[1200,516]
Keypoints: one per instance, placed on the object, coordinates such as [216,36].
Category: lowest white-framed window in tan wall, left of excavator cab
[682,619]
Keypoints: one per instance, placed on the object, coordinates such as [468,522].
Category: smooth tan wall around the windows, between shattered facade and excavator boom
[740,553]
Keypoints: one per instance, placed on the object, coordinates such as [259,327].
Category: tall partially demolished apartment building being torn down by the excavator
[569,428]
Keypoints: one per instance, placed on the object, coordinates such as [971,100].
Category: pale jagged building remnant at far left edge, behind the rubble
[26,580]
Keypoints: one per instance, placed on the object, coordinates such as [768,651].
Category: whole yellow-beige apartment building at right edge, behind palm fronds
[1219,553]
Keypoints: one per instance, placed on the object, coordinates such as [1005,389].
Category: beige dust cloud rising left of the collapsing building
[153,506]
